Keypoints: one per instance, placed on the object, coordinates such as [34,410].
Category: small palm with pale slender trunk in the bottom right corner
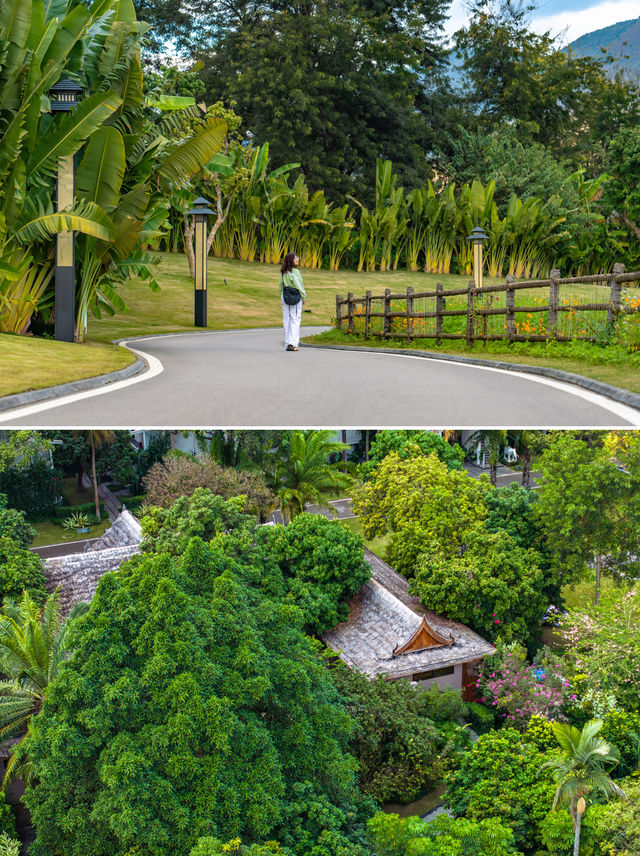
[584,767]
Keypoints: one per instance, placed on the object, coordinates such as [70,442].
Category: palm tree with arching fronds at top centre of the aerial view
[305,473]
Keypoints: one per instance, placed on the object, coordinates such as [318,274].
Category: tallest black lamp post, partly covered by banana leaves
[64,96]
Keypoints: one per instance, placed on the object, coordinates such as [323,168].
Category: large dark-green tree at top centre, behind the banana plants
[332,85]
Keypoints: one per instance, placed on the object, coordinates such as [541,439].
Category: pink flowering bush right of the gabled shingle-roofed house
[518,690]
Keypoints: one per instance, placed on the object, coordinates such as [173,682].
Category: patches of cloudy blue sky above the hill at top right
[575,17]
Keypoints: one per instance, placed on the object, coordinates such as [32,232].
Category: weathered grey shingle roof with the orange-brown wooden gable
[383,616]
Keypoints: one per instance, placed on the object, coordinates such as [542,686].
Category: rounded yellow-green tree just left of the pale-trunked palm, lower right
[499,777]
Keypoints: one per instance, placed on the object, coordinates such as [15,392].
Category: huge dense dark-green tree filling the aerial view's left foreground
[194,703]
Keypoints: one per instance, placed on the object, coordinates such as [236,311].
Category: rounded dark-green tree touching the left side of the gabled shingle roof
[322,564]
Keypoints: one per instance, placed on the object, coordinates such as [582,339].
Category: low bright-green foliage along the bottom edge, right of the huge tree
[396,836]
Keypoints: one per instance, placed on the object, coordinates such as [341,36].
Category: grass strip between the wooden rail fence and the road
[611,364]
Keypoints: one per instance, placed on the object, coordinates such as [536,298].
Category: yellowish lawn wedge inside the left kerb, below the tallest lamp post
[31,363]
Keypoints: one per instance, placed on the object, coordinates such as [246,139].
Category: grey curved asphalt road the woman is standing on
[244,378]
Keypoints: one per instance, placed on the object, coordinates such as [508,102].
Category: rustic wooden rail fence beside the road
[476,311]
